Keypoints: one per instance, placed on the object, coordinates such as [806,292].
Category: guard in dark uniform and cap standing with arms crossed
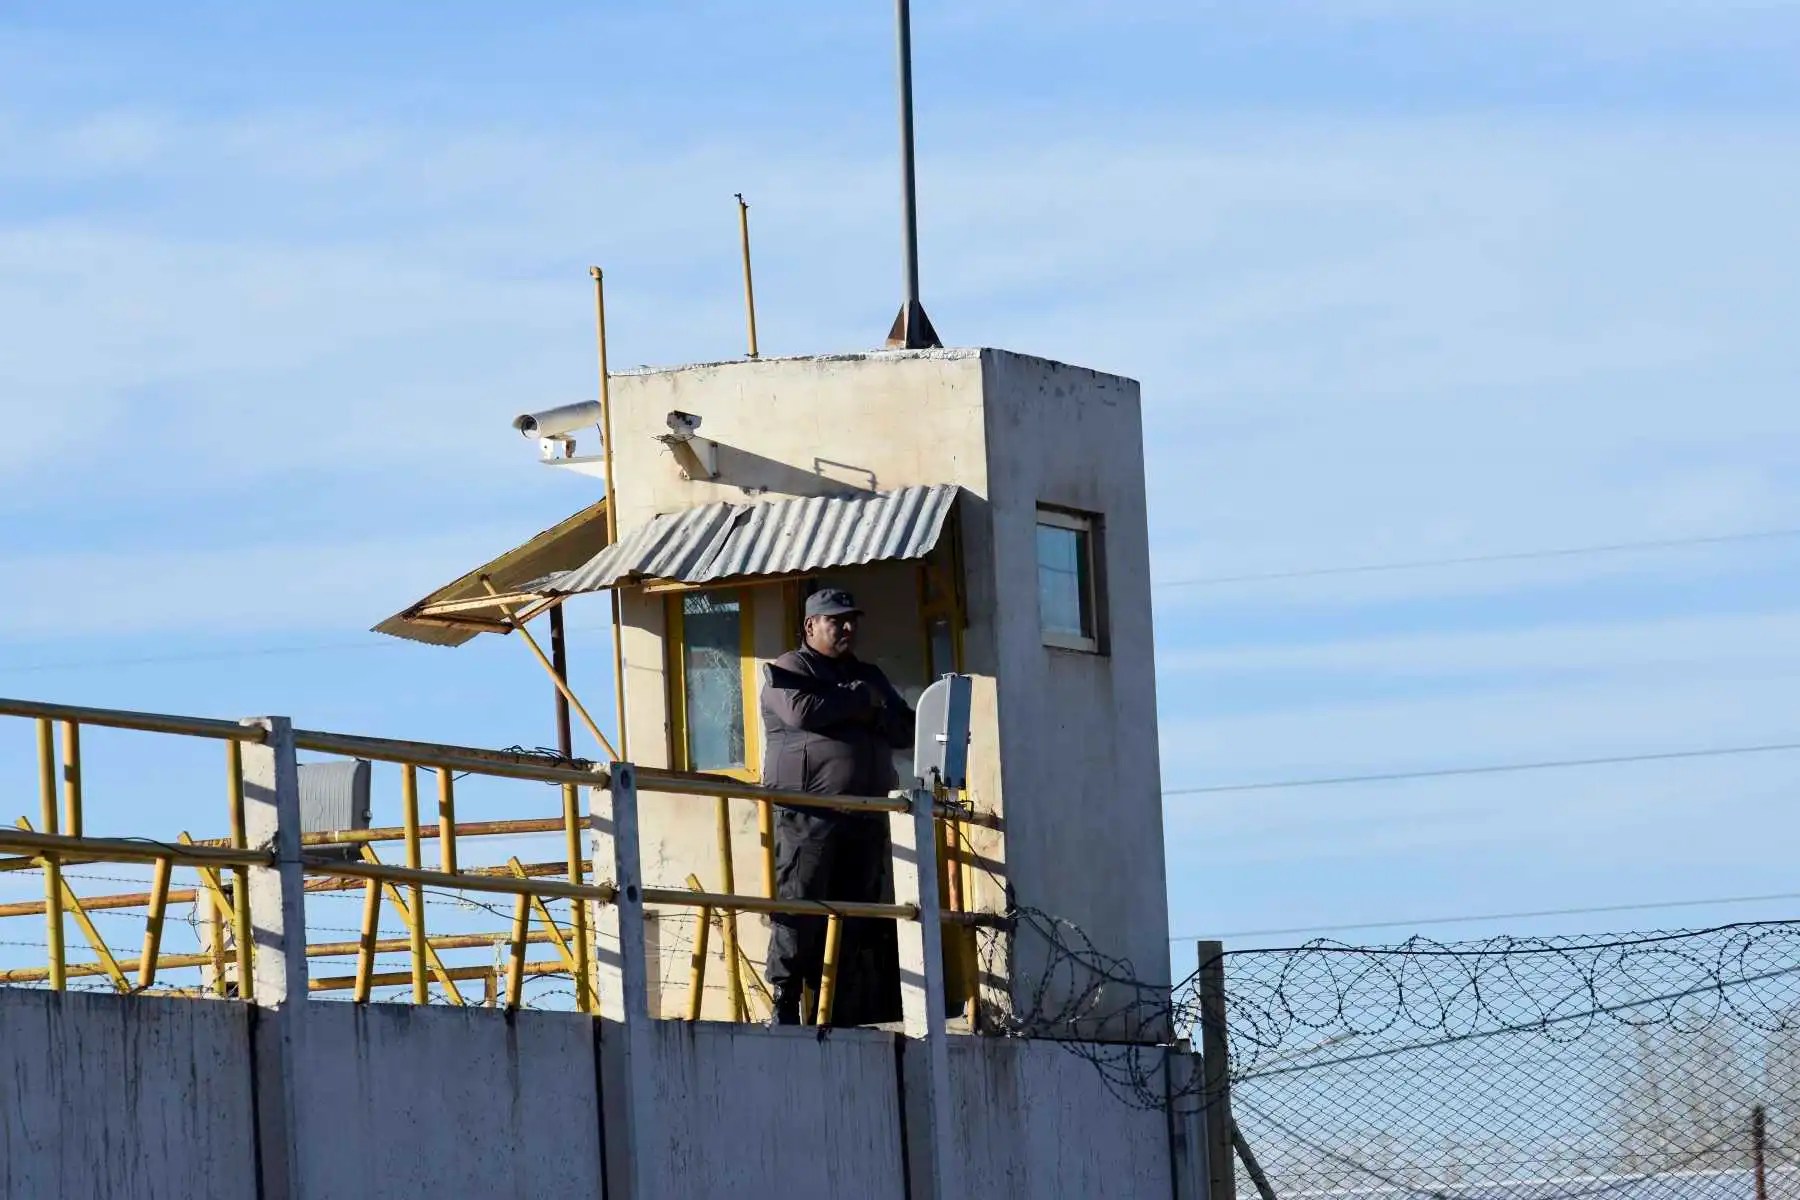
[831,726]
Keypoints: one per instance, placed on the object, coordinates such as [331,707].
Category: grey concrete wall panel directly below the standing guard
[741,1111]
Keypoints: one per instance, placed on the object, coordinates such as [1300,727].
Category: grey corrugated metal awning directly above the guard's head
[769,539]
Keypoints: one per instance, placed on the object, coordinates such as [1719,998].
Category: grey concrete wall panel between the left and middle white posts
[440,1102]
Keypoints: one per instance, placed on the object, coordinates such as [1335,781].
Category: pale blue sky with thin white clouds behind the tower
[1403,282]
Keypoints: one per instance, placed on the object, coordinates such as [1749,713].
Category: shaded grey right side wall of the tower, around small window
[1077,731]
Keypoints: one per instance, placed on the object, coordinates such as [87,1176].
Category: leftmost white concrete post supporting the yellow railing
[278,962]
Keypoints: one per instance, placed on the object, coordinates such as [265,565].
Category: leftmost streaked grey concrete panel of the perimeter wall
[125,1098]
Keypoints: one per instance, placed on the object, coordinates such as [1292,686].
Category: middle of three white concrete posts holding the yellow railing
[624,989]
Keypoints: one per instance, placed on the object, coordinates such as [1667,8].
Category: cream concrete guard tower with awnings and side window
[989,514]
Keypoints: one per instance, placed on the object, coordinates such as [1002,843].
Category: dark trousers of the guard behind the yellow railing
[836,857]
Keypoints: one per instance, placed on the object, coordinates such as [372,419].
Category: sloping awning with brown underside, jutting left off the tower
[460,611]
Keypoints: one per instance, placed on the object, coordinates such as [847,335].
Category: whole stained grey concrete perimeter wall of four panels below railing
[132,1098]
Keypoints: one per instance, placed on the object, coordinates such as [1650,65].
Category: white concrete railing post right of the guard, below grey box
[926,1057]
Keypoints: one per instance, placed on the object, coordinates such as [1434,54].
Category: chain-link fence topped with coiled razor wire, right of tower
[1524,1070]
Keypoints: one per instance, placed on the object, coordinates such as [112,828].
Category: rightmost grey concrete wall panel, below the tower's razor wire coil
[1039,1124]
